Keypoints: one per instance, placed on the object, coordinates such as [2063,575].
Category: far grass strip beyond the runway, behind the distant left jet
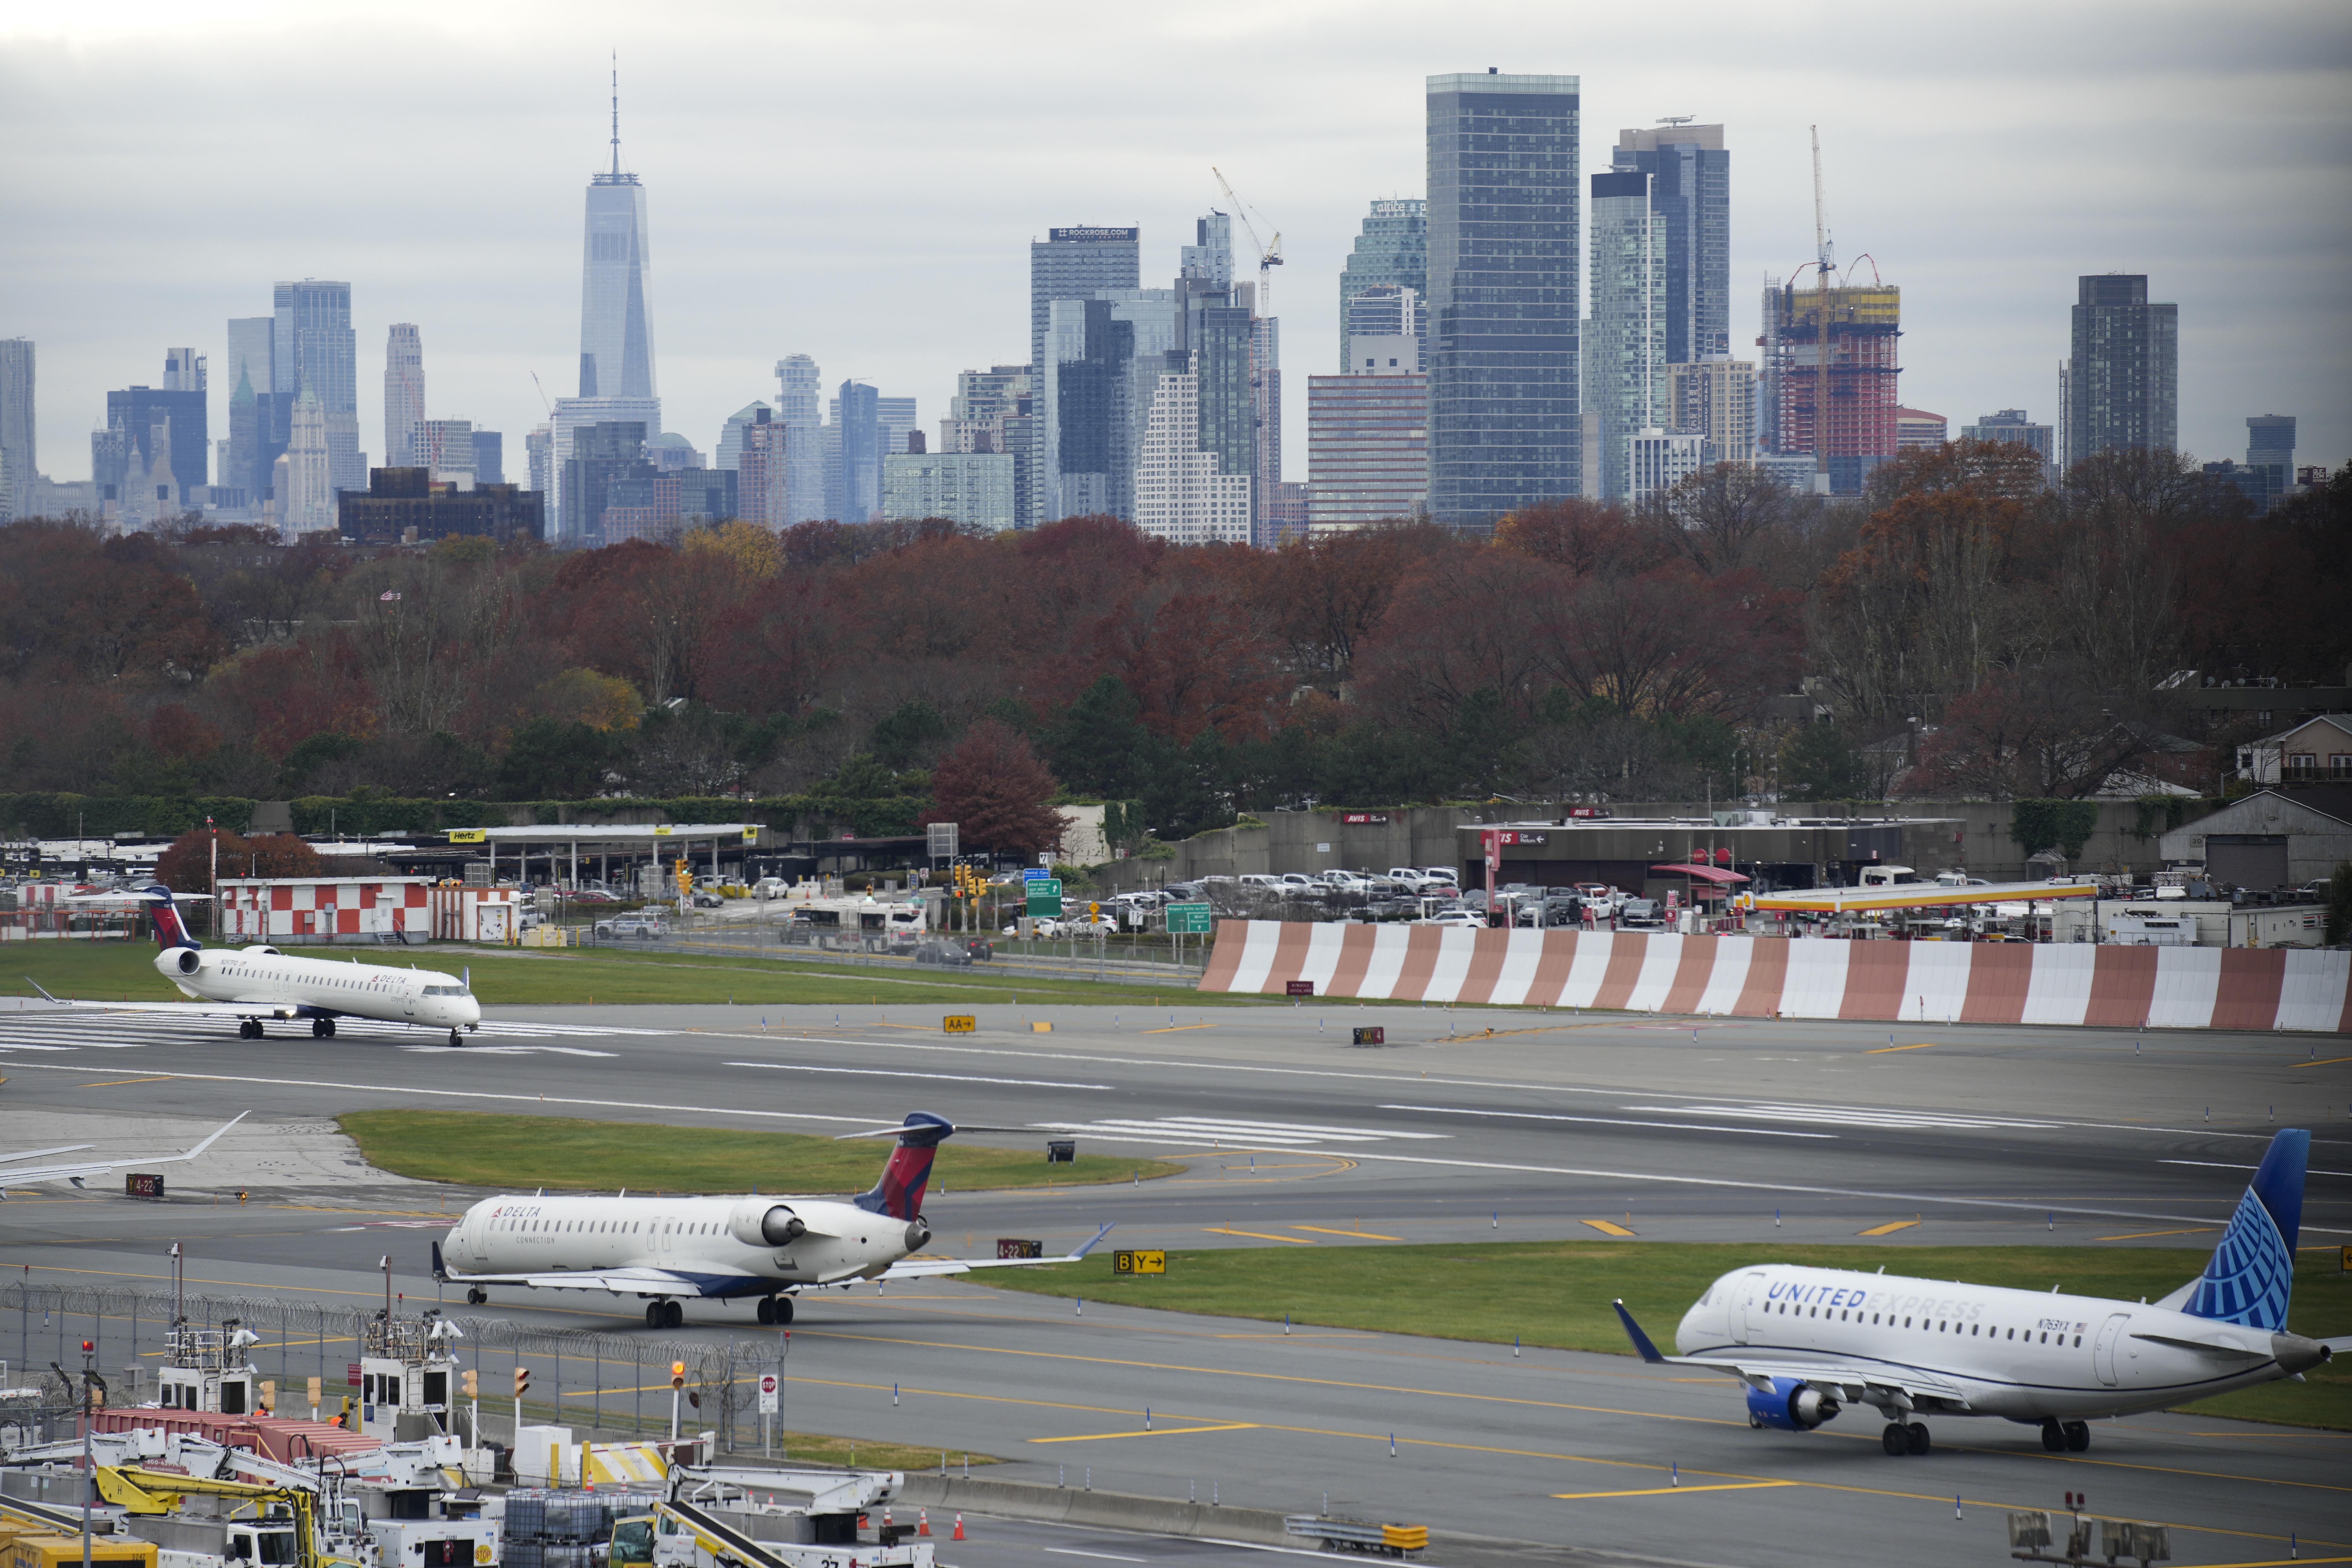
[123,972]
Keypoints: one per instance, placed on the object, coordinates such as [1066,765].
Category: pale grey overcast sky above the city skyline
[862,185]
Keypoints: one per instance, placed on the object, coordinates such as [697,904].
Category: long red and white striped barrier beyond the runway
[1760,977]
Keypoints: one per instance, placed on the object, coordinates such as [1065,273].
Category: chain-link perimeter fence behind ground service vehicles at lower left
[608,1383]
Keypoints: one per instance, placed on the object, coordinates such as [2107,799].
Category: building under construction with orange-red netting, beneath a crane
[1859,382]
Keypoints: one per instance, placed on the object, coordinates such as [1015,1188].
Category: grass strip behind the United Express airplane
[1558,1292]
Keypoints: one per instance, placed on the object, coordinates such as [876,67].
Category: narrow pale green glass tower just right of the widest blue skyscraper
[1624,344]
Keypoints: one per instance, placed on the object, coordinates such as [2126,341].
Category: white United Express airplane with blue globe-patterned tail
[1815,1341]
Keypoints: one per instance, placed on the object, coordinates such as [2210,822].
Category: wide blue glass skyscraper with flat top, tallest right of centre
[1504,295]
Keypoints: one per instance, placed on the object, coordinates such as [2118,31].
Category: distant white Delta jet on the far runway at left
[255,984]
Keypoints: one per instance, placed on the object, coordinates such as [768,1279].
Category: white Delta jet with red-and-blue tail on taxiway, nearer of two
[716,1247]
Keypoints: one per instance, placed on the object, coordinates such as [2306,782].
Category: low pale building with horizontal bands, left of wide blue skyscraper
[1368,443]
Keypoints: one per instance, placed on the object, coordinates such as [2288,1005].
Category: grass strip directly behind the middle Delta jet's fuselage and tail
[566,1153]
